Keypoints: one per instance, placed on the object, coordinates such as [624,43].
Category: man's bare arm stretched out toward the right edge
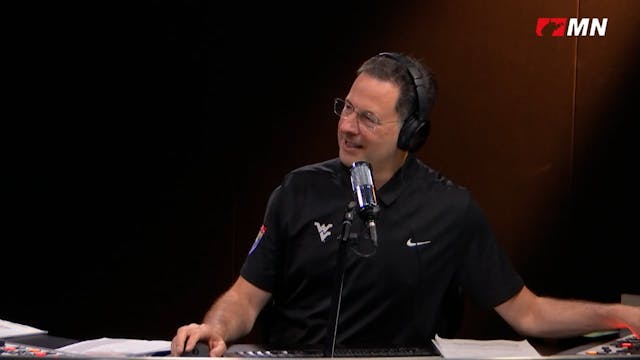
[542,317]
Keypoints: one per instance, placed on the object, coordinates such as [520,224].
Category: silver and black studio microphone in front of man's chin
[365,196]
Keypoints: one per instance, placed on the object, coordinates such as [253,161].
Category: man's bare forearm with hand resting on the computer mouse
[231,316]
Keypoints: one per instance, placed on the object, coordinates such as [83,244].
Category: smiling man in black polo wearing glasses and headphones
[433,241]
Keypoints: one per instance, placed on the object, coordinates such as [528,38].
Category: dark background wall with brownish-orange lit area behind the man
[143,140]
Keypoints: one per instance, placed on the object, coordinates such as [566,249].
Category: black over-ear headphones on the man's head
[416,127]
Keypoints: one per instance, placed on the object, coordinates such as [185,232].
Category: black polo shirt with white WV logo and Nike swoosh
[432,237]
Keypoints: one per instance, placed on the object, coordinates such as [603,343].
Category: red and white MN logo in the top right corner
[571,27]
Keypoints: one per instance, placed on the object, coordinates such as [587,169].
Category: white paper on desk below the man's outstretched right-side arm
[478,349]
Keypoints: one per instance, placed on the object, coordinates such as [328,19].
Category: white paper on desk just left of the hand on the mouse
[117,347]
